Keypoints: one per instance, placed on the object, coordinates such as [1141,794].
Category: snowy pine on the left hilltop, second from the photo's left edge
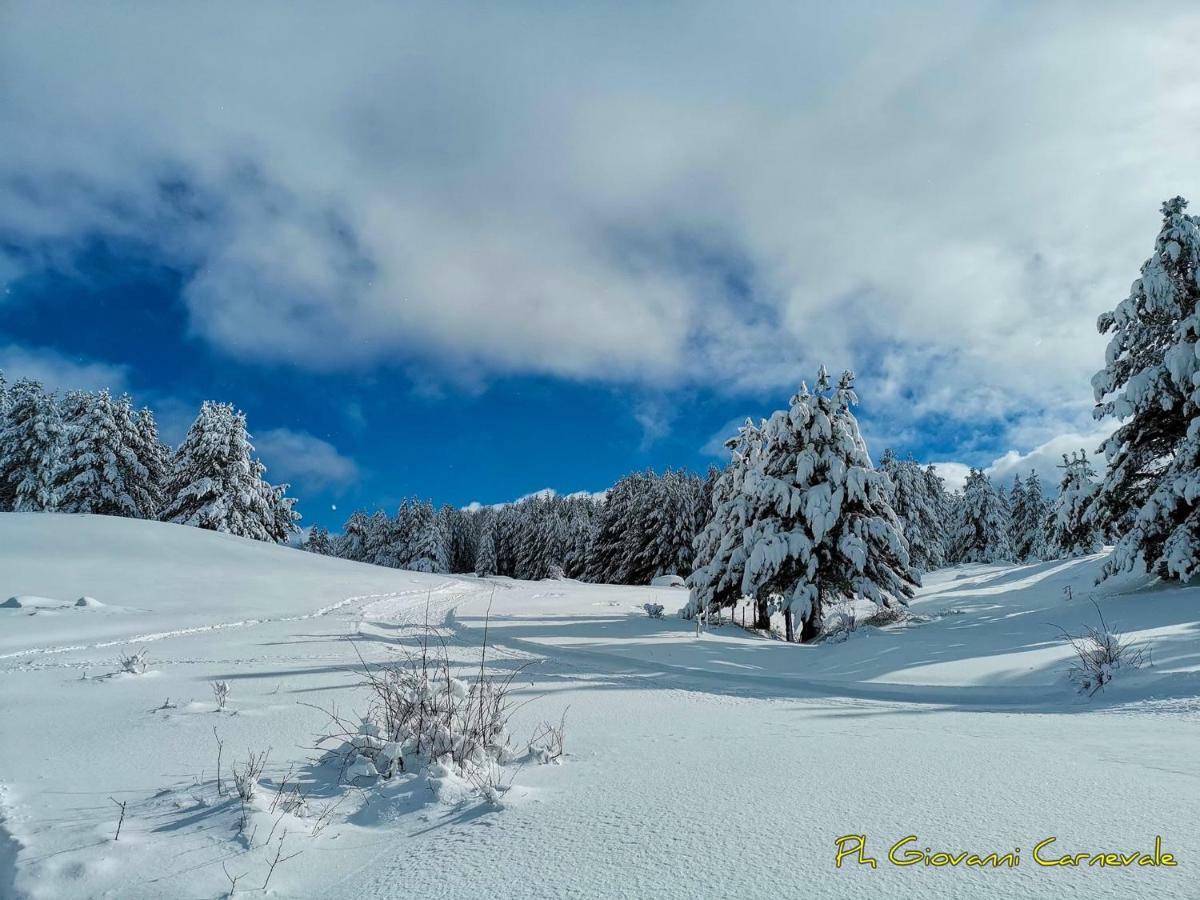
[98,467]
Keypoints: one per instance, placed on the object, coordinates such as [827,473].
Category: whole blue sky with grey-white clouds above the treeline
[467,253]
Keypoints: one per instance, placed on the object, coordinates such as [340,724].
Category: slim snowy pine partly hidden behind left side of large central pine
[721,555]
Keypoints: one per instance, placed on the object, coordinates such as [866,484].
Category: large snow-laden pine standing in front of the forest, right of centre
[821,524]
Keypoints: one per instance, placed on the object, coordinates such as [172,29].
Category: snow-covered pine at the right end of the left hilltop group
[215,482]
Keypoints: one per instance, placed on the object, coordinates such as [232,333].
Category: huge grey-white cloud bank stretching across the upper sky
[944,197]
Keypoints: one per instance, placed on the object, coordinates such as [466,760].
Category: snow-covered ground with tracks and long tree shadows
[722,765]
